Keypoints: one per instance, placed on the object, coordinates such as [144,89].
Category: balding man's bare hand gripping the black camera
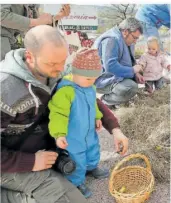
[44,160]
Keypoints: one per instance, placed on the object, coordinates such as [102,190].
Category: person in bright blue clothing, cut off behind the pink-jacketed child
[152,17]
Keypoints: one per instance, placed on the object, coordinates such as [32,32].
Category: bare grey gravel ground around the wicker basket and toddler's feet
[108,160]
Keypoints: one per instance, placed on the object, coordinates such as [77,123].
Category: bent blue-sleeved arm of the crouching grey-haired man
[110,58]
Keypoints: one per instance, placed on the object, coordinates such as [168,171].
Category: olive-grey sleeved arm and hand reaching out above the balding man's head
[19,22]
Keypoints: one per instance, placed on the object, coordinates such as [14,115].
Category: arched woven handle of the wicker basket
[134,156]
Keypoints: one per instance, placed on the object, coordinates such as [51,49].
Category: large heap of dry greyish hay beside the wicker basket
[147,126]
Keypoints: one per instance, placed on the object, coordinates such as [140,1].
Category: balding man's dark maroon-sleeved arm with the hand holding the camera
[20,162]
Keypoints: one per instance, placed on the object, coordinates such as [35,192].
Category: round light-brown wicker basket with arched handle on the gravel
[131,184]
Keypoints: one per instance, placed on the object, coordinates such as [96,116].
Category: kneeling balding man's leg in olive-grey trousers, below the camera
[43,186]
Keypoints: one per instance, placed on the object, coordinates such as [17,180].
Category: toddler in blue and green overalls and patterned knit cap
[75,117]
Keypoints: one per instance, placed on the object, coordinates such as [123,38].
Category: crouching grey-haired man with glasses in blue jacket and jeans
[116,49]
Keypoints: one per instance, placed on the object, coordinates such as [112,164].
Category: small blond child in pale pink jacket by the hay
[153,62]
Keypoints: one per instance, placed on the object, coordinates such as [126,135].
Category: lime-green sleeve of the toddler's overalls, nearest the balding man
[59,107]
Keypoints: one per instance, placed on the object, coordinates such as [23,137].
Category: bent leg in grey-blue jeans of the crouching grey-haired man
[120,92]
